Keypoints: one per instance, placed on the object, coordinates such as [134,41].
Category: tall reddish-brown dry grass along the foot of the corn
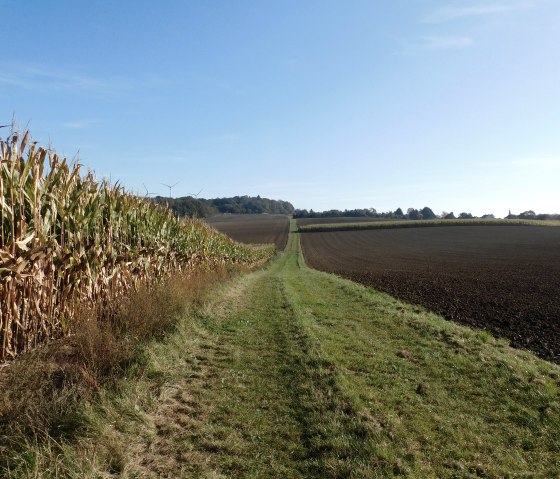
[44,390]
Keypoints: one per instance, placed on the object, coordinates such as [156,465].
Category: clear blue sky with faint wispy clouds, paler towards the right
[328,104]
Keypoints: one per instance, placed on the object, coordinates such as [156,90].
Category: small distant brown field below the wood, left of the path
[253,229]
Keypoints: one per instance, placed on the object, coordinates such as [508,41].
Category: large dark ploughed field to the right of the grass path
[505,279]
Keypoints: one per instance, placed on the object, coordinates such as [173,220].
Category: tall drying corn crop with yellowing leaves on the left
[69,240]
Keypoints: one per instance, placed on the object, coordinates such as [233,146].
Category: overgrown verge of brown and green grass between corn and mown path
[50,396]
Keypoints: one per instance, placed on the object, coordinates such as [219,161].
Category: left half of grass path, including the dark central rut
[259,399]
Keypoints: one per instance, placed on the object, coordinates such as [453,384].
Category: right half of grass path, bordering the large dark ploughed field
[441,400]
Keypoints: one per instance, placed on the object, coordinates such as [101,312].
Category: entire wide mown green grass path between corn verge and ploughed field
[296,373]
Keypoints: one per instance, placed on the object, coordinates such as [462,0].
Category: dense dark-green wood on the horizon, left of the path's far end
[203,208]
